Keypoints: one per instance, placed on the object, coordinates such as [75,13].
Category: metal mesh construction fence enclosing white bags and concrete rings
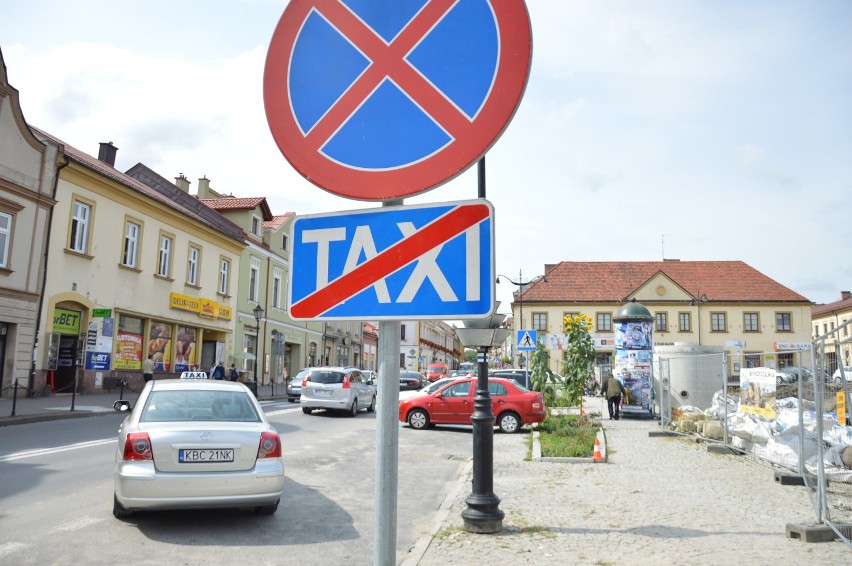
[794,419]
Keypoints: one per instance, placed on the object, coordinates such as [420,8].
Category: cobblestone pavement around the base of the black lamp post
[658,500]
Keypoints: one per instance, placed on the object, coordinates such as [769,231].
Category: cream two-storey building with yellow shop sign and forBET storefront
[133,271]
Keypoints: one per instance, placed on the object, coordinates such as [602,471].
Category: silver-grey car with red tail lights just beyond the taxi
[337,388]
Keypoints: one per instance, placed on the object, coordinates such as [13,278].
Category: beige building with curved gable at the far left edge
[27,179]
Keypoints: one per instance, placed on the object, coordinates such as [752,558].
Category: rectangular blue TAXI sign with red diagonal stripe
[396,262]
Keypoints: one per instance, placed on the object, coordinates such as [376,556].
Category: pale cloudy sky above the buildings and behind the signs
[691,130]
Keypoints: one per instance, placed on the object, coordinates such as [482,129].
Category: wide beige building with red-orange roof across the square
[727,304]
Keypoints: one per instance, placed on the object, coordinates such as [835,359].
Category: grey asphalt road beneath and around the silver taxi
[56,497]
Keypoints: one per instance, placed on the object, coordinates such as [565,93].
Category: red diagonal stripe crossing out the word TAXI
[441,230]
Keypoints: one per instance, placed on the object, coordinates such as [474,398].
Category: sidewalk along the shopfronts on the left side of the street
[58,405]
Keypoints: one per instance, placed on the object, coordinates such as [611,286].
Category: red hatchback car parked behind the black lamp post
[512,404]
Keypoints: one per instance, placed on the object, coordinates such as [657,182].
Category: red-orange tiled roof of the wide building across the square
[615,281]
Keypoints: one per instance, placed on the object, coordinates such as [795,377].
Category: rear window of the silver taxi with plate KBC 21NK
[198,405]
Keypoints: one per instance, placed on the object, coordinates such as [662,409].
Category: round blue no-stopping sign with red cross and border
[383,99]
